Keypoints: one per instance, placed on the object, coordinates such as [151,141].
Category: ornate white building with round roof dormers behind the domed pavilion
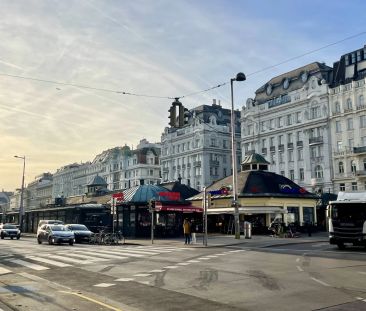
[287,123]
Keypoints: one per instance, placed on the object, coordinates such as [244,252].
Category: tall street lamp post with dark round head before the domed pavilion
[239,77]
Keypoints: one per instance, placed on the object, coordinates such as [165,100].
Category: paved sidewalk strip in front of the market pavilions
[217,240]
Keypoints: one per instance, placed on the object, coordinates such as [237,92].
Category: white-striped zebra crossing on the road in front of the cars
[70,257]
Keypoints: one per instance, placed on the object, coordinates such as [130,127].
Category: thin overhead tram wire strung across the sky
[186,95]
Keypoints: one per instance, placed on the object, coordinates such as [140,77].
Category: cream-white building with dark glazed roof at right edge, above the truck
[348,121]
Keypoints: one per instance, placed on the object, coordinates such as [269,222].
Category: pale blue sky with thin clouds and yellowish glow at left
[64,66]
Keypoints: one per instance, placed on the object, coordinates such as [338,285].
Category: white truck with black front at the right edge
[347,219]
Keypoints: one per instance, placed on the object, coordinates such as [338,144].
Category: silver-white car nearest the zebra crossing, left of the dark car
[55,234]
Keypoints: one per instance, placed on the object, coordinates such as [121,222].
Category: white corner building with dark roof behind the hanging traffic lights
[199,153]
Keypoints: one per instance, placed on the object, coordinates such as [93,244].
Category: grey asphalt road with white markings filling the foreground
[308,276]
